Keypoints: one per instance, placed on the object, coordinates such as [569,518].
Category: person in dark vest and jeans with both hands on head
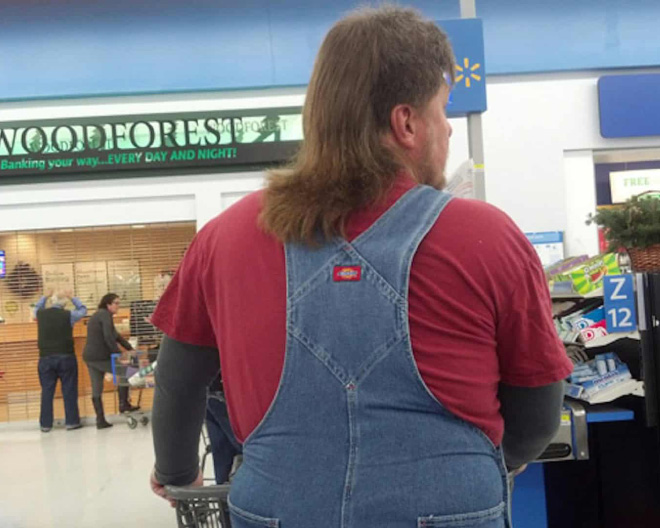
[57,357]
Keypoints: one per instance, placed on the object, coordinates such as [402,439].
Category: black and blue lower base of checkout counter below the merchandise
[602,470]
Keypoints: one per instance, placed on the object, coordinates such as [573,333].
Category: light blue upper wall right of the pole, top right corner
[539,35]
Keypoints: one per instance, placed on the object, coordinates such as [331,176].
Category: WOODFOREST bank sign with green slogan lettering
[93,145]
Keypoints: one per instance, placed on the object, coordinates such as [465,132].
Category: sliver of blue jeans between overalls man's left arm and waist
[224,446]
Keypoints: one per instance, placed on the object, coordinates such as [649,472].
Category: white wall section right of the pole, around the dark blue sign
[531,125]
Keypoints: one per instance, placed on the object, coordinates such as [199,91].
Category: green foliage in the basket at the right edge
[634,224]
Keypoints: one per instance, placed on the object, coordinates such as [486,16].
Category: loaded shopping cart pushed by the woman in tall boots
[135,371]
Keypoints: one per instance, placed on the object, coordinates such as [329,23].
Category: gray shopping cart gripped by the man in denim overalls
[201,507]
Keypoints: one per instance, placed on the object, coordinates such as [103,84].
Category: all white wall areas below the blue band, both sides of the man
[532,125]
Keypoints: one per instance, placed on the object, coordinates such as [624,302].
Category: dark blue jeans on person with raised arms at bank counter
[65,368]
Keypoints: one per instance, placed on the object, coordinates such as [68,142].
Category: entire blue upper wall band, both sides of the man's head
[68,48]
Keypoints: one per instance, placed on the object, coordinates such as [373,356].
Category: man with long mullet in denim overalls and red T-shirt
[387,350]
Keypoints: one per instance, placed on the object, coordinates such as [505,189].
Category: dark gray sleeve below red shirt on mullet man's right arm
[531,419]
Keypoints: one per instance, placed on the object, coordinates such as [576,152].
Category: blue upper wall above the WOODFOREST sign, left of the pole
[77,47]
